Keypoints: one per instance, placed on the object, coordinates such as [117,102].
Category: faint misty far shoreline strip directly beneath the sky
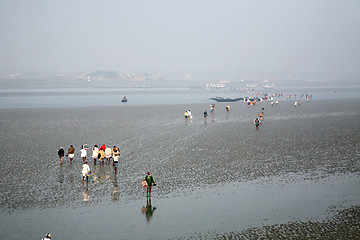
[183,75]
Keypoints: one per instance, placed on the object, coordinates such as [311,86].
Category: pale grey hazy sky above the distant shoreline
[266,36]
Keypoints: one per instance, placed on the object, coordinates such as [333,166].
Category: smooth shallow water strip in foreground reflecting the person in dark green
[226,208]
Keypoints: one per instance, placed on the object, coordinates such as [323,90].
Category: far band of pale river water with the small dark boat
[107,96]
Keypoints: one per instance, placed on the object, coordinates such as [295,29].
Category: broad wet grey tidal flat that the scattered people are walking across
[195,164]
